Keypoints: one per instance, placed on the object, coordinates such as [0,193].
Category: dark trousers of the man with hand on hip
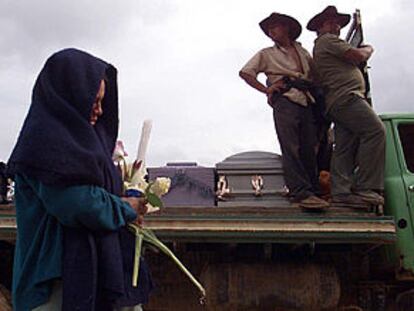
[297,133]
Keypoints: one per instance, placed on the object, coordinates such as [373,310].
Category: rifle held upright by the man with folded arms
[355,37]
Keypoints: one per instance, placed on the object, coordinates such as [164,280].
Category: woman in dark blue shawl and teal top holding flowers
[72,247]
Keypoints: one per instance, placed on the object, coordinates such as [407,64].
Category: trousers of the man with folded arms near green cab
[359,142]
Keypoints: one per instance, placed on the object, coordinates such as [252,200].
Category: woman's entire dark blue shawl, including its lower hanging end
[58,146]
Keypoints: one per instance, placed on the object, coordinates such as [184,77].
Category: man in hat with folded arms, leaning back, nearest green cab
[359,132]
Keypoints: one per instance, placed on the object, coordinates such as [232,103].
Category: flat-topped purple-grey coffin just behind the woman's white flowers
[191,185]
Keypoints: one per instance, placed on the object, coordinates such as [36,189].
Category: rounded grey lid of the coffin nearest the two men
[251,160]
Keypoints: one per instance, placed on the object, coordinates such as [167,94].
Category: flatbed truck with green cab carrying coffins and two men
[280,257]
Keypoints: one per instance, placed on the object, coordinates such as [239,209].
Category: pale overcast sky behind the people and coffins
[178,63]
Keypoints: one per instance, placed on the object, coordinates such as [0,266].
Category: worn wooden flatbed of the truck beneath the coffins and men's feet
[283,224]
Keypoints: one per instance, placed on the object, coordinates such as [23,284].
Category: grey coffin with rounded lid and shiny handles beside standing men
[252,178]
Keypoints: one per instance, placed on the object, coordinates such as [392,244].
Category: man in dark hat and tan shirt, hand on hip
[292,111]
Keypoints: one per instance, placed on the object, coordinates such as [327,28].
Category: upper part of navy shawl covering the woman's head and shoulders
[57,144]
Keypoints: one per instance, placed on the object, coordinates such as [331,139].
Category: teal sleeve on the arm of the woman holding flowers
[84,206]
